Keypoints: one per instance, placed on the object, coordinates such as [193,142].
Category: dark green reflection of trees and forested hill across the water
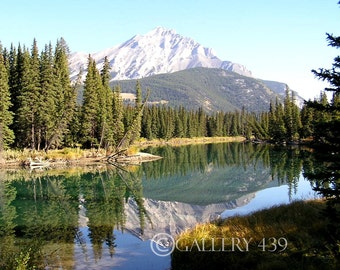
[42,213]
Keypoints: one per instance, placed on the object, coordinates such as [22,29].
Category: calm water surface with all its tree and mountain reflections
[104,217]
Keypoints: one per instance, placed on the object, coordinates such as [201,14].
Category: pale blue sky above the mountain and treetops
[276,39]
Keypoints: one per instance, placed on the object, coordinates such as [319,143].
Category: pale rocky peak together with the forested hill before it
[180,71]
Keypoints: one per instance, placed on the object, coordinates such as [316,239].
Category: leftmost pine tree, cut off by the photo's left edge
[6,117]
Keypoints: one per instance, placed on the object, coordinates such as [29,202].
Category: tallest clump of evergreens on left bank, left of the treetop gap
[41,95]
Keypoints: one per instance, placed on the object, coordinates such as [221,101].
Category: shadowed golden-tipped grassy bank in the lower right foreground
[283,237]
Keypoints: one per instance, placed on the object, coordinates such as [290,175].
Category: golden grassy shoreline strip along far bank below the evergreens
[84,157]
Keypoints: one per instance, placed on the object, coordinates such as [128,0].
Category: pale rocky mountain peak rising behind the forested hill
[159,51]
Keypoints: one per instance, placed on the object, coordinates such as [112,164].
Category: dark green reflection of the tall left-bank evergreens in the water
[39,215]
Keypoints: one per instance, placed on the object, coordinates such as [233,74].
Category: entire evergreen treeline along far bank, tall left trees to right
[39,109]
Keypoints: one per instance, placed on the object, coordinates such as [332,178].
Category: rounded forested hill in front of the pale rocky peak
[211,88]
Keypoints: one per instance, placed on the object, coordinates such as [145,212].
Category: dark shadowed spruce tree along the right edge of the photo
[327,178]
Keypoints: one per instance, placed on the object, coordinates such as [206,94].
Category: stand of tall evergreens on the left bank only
[38,105]
